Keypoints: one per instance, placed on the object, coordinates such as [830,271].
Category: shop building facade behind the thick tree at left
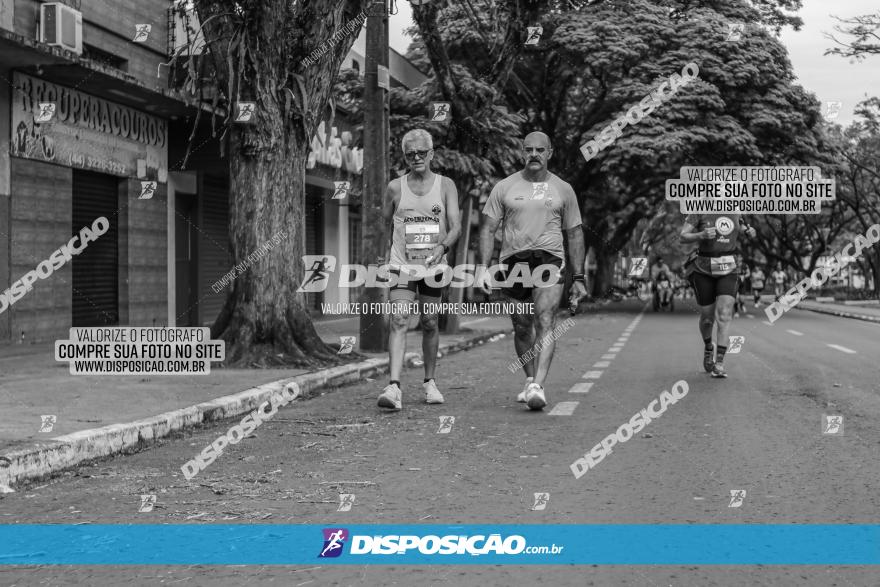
[93,127]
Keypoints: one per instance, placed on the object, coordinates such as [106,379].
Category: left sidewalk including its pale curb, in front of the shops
[102,415]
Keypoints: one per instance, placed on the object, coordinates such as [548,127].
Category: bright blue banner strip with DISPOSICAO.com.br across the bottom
[279,544]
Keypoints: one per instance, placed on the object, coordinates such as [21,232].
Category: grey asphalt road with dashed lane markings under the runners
[760,431]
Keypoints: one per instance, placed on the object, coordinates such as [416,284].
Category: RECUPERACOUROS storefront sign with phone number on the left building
[86,132]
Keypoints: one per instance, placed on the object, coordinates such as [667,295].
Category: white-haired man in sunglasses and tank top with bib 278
[422,208]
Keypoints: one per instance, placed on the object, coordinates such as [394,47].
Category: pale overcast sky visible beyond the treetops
[831,78]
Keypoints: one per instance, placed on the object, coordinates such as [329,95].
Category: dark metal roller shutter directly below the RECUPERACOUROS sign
[96,269]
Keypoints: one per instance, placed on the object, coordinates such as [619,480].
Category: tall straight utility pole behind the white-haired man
[374,325]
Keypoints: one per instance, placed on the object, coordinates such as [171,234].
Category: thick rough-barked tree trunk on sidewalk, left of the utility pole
[256,49]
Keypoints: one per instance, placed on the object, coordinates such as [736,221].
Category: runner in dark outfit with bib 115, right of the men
[713,271]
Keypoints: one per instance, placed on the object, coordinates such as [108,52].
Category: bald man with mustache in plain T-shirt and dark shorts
[534,207]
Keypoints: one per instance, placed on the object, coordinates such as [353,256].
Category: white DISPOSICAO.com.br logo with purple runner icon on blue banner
[476,545]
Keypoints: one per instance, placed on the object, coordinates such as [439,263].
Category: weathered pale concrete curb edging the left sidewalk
[46,458]
